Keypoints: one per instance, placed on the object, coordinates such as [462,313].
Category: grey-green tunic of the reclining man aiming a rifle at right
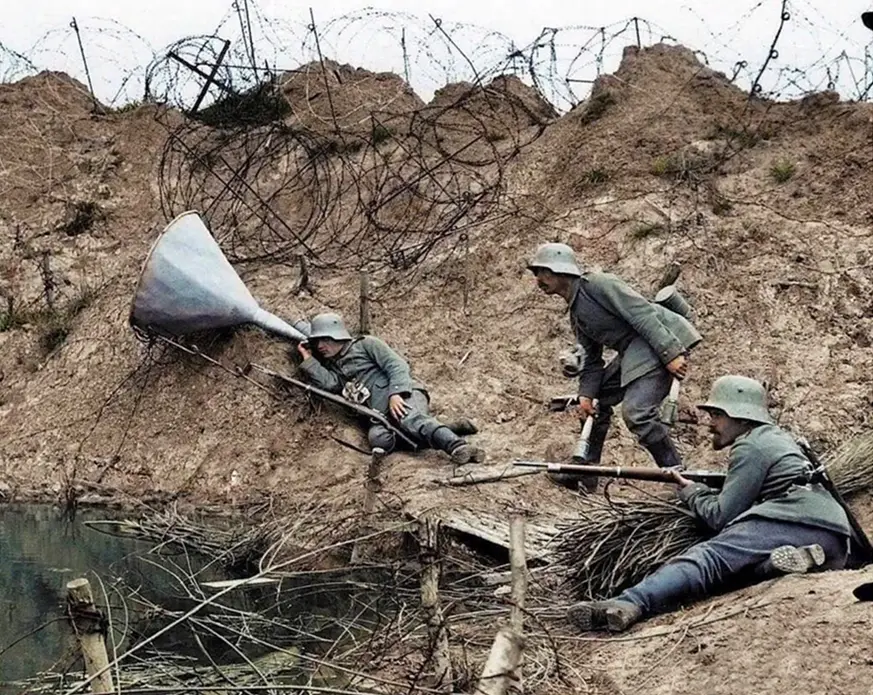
[765,468]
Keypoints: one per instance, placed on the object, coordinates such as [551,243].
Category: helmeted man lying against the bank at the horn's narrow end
[367,371]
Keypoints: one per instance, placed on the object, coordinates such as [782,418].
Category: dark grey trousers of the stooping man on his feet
[640,408]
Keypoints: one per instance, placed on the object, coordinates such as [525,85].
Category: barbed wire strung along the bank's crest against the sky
[429,52]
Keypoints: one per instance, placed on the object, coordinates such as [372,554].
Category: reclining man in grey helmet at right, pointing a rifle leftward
[770,517]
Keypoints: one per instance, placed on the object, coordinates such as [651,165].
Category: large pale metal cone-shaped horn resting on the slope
[187,285]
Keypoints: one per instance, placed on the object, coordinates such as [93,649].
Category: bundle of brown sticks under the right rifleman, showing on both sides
[614,544]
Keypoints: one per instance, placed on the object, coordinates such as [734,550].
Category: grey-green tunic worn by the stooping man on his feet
[606,312]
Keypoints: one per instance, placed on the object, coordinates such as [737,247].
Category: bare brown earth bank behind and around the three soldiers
[765,206]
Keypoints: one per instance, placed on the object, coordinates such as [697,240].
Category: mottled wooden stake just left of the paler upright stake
[430,603]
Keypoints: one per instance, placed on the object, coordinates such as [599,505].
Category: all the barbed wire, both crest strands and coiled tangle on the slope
[295,157]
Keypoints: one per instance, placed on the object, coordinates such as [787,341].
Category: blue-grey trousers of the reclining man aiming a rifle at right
[733,554]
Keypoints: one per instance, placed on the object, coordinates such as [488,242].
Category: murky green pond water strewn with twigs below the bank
[40,551]
